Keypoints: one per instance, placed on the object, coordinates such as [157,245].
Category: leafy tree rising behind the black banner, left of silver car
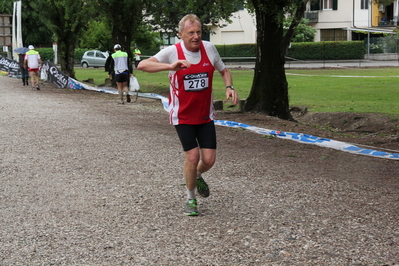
[66,19]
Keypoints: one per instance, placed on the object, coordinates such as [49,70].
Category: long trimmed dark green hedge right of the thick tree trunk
[327,50]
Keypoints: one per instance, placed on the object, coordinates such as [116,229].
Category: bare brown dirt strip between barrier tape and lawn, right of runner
[376,130]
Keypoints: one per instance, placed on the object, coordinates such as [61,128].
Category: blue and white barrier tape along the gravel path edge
[298,137]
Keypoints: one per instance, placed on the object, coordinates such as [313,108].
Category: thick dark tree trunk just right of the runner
[269,92]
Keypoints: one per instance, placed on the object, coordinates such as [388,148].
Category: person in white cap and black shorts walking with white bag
[122,72]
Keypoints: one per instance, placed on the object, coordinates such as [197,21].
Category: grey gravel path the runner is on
[85,181]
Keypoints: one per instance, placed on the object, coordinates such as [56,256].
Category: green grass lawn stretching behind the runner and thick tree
[322,90]
